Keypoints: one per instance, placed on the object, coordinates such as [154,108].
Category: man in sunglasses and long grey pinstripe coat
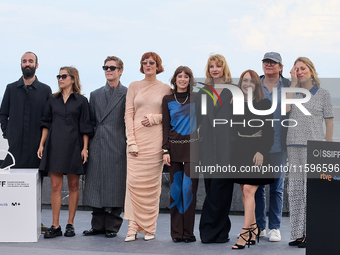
[106,171]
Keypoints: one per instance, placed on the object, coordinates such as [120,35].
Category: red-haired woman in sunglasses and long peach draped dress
[143,118]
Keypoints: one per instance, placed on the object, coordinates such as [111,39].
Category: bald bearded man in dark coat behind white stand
[22,107]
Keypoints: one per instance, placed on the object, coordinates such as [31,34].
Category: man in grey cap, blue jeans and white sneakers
[272,78]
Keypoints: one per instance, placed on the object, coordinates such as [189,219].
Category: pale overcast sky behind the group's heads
[185,32]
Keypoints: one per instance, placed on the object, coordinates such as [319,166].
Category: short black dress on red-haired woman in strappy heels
[254,136]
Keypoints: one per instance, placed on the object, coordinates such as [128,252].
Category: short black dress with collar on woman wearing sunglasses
[67,123]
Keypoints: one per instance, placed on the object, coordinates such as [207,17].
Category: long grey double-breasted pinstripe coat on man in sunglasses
[105,179]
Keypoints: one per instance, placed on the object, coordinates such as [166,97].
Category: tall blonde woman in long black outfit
[215,149]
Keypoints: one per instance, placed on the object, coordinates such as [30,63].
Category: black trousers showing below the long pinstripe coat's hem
[107,219]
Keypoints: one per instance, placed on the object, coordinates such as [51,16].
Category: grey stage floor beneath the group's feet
[162,244]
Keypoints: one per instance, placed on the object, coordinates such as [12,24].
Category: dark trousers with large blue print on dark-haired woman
[183,192]
